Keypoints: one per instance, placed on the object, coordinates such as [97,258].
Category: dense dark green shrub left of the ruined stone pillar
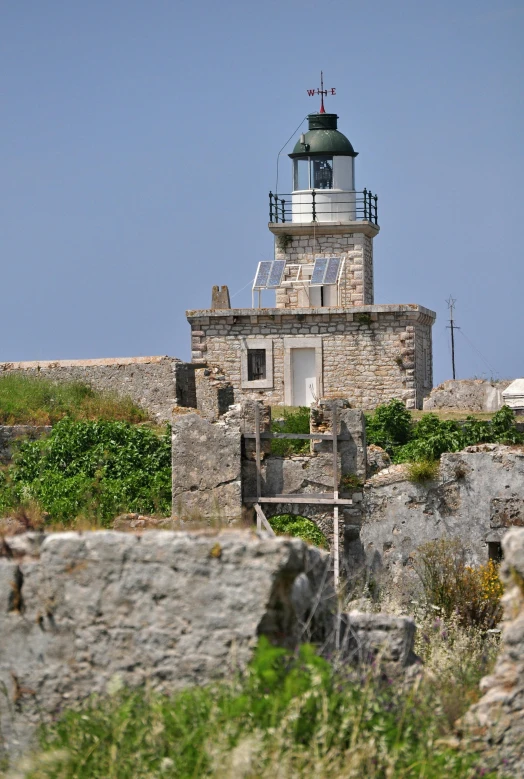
[91,469]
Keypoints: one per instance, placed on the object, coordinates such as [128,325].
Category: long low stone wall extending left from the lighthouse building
[155,383]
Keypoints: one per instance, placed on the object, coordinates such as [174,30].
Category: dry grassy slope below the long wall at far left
[26,400]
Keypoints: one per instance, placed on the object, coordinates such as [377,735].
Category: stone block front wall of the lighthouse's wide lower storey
[368,356]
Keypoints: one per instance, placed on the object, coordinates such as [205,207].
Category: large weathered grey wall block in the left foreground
[174,609]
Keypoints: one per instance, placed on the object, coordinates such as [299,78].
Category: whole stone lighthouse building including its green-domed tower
[325,336]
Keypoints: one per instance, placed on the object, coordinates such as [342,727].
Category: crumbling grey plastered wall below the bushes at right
[478,494]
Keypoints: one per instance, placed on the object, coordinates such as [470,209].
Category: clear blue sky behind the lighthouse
[138,141]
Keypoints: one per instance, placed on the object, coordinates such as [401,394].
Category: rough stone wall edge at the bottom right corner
[496,722]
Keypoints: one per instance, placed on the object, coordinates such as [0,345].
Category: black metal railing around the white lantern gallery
[348,206]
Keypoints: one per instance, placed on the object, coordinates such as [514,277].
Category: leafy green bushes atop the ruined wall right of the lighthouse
[392,428]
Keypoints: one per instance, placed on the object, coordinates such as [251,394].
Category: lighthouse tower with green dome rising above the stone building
[325,217]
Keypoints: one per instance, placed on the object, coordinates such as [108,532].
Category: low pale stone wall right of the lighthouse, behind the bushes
[467,395]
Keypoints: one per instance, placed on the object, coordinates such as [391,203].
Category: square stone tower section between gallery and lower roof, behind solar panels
[356,287]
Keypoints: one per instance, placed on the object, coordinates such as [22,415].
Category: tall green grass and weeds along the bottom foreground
[288,716]
